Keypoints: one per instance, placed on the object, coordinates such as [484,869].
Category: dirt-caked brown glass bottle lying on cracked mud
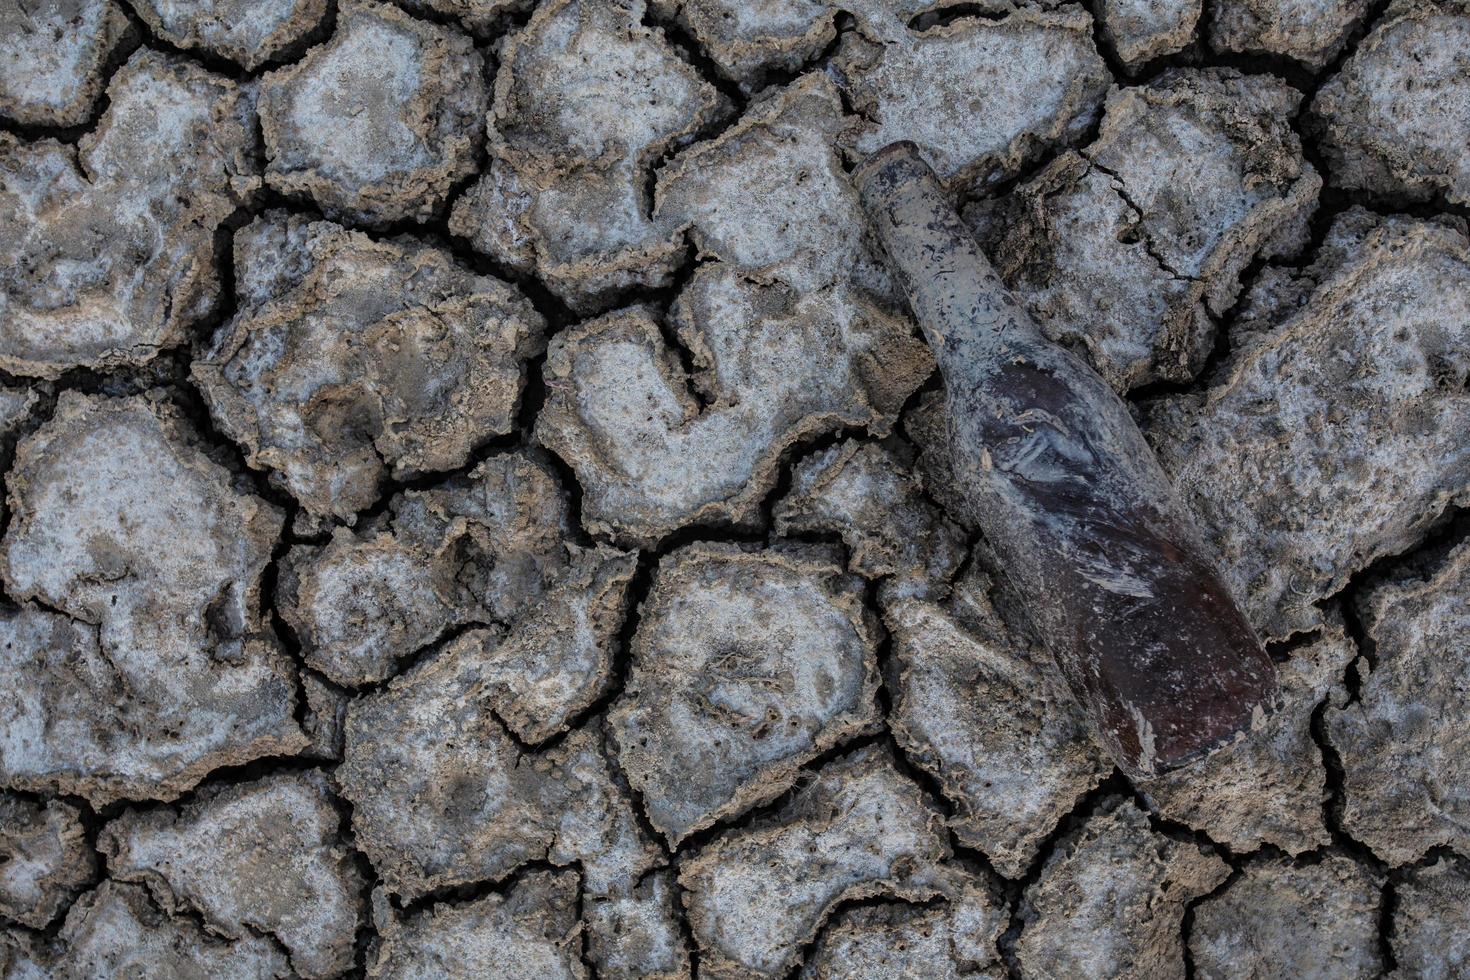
[1062,483]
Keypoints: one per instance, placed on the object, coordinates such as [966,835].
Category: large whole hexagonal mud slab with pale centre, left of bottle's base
[746,666]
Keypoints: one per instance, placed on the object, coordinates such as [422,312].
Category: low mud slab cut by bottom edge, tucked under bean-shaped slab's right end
[915,943]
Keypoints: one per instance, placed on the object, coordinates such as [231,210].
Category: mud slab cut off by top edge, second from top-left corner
[251,33]
